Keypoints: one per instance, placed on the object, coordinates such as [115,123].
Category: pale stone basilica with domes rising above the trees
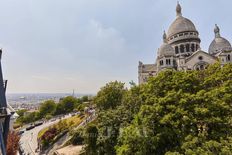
[181,49]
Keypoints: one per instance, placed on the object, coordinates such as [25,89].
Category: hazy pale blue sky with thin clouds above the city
[55,46]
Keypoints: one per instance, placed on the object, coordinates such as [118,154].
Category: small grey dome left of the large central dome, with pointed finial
[165,49]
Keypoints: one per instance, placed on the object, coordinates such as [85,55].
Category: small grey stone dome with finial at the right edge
[219,43]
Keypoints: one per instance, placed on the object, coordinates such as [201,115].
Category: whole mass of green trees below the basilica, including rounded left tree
[174,113]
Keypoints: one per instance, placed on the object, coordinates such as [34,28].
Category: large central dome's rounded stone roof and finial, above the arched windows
[181,24]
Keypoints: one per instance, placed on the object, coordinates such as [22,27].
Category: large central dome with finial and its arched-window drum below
[183,35]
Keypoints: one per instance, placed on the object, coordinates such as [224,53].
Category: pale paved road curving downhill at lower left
[28,139]
